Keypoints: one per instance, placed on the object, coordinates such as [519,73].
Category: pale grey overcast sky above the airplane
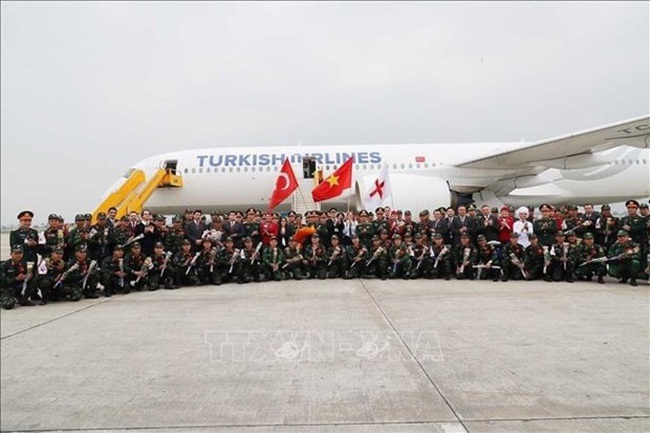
[88,89]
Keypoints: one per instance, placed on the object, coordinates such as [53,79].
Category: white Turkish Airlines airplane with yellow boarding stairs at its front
[600,165]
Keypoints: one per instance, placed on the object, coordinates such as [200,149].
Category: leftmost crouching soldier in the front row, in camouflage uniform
[13,274]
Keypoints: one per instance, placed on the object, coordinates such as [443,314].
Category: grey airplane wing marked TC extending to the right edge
[634,133]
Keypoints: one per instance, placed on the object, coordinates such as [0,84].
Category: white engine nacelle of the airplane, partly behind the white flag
[409,192]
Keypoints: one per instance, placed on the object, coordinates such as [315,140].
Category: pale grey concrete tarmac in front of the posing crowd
[334,356]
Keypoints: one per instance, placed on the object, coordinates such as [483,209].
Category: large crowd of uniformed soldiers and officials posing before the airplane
[142,252]
